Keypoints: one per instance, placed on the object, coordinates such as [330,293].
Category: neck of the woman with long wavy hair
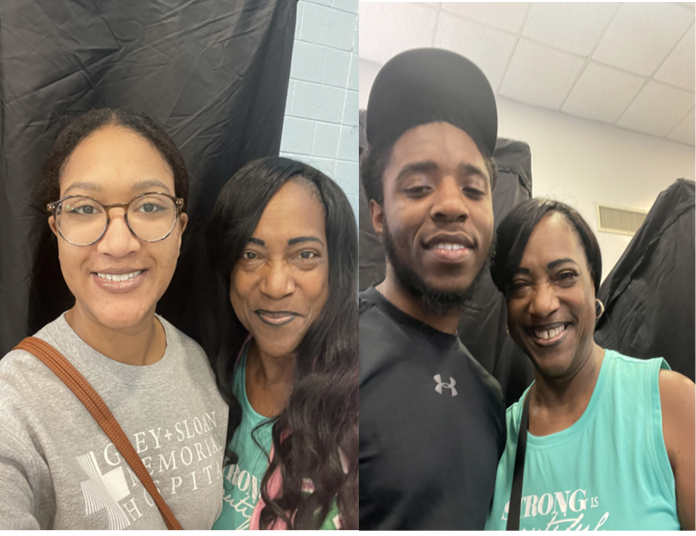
[268,380]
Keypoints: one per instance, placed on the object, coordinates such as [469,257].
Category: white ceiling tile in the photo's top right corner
[642,34]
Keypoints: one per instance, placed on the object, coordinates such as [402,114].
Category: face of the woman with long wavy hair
[281,282]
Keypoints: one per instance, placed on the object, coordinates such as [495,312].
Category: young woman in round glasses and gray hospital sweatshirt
[117,186]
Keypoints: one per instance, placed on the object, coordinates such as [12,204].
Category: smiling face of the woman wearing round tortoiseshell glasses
[113,165]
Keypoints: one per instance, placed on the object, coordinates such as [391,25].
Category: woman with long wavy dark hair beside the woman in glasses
[282,335]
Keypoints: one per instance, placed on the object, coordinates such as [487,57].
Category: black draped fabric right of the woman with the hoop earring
[649,294]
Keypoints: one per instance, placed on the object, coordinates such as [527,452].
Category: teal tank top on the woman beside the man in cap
[609,471]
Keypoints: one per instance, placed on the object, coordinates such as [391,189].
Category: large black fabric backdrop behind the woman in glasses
[213,73]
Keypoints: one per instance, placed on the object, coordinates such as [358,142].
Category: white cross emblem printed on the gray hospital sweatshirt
[102,492]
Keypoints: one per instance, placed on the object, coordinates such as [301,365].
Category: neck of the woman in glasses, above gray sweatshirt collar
[140,345]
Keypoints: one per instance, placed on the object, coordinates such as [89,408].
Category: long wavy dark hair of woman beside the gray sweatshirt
[320,422]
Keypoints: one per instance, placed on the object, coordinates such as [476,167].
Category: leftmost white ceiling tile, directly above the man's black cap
[389,28]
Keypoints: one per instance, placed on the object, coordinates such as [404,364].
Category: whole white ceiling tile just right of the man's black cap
[540,75]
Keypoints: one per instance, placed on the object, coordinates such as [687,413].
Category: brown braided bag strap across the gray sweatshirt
[53,359]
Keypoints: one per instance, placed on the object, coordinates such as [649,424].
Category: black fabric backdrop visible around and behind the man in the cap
[484,321]
